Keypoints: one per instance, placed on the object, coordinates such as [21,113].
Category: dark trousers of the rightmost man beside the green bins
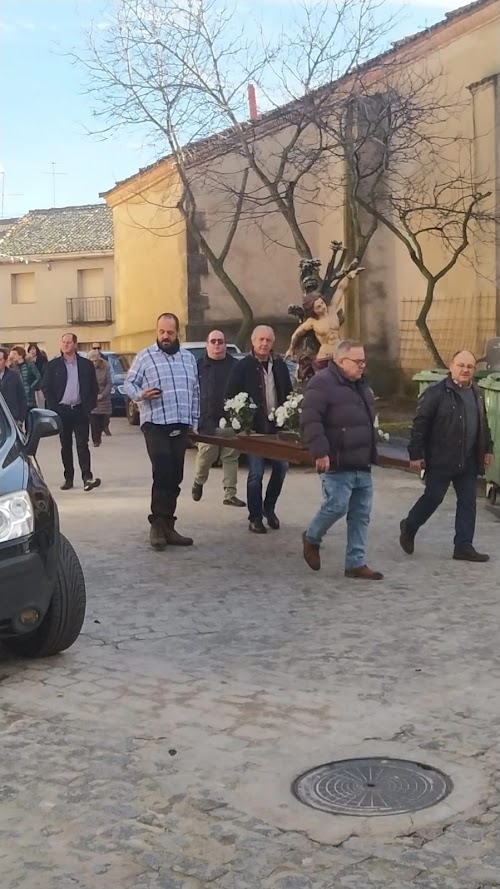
[436,486]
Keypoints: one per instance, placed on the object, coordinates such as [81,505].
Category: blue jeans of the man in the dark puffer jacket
[347,493]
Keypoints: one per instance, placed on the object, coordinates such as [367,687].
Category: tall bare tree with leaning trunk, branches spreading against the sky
[179,70]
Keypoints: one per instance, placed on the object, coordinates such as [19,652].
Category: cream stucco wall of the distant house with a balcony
[45,320]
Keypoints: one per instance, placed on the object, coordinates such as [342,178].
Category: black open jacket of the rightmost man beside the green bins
[438,432]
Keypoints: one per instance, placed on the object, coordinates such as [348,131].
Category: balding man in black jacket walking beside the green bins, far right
[451,440]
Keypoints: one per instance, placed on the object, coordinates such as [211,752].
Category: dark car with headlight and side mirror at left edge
[42,588]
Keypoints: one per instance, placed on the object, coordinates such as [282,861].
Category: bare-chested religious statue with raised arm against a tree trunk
[319,318]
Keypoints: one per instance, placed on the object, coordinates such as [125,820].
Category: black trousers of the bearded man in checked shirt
[167,454]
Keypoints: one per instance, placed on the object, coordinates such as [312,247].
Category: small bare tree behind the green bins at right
[411,170]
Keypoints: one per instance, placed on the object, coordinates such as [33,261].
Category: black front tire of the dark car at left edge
[63,622]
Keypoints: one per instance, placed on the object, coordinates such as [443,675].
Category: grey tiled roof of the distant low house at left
[85,229]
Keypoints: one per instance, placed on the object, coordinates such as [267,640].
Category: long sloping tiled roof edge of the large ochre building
[218,143]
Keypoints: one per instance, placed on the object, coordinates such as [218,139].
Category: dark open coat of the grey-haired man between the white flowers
[248,376]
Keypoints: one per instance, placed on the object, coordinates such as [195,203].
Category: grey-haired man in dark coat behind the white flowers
[265,377]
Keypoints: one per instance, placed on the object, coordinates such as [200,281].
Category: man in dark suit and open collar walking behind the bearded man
[70,388]
